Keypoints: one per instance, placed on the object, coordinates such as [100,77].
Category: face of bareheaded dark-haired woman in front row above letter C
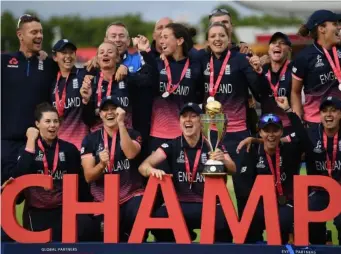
[48,125]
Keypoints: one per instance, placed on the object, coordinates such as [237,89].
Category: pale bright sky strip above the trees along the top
[189,11]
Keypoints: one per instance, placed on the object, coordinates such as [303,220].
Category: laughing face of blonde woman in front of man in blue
[107,55]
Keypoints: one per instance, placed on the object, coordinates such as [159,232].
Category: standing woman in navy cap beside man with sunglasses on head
[65,95]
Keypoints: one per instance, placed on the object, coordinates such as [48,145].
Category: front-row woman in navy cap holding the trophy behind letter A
[189,156]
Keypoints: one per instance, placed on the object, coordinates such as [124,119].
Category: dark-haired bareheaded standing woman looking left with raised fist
[179,79]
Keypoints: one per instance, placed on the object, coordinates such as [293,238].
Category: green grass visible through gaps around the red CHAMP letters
[330,225]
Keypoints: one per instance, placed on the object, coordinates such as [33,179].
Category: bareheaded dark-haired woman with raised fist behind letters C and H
[46,154]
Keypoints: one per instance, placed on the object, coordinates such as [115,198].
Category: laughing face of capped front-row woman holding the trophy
[190,124]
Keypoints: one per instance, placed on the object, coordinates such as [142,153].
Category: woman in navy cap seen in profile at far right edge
[316,68]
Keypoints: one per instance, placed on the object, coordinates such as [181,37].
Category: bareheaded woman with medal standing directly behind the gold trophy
[227,77]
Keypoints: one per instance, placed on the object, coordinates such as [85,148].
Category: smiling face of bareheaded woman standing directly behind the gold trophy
[217,39]
